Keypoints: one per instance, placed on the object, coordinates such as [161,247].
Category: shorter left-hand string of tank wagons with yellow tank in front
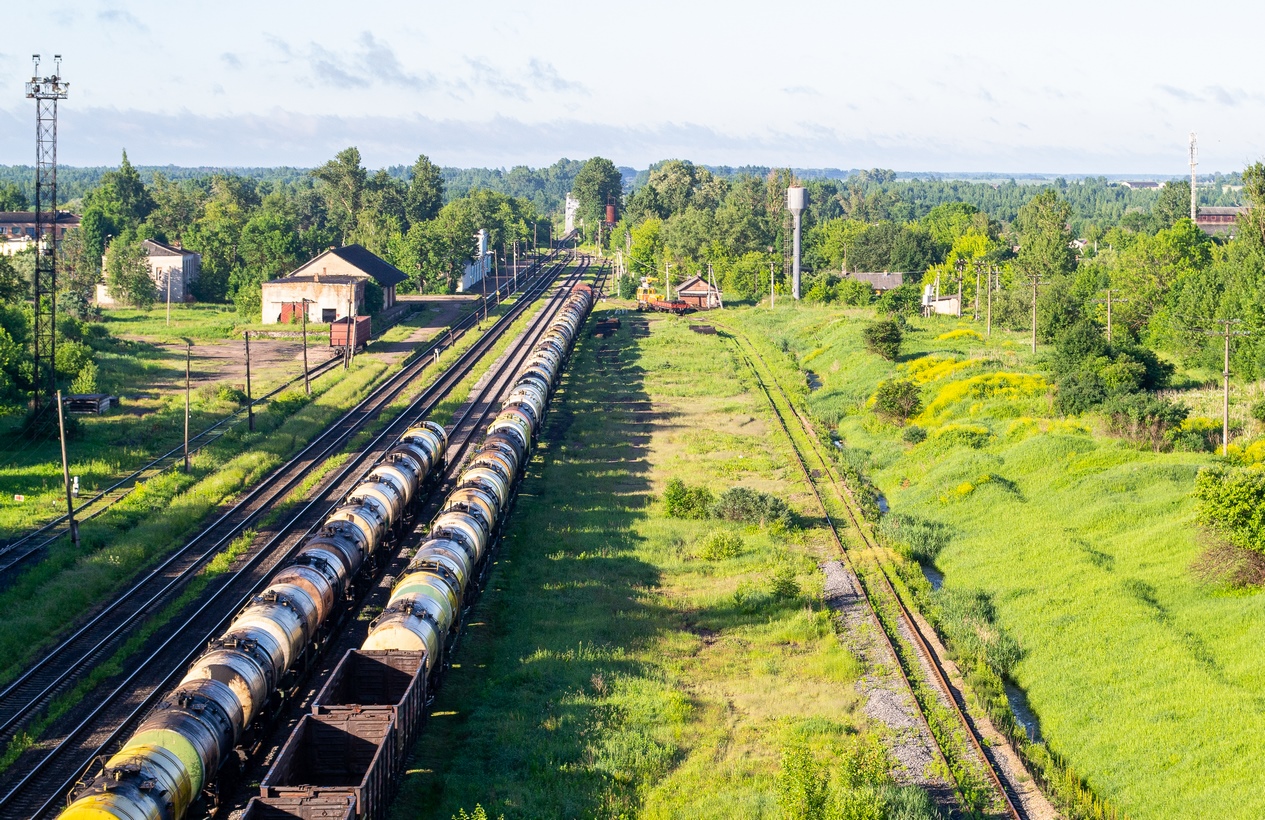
[241,680]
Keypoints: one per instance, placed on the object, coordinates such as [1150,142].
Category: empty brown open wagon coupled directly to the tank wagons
[385,680]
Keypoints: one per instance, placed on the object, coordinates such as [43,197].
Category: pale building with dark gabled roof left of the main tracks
[330,285]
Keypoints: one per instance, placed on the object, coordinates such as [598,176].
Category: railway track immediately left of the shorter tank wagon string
[435,394]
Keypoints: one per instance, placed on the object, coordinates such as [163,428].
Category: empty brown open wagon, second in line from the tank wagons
[351,755]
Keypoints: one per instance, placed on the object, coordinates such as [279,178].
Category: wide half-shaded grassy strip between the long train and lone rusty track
[622,662]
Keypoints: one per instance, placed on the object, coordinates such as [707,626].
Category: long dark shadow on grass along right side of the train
[528,722]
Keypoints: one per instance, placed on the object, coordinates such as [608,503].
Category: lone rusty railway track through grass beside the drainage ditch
[1009,803]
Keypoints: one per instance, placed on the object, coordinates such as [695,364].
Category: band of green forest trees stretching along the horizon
[255,225]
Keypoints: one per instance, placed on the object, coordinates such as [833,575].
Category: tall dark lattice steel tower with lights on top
[46,92]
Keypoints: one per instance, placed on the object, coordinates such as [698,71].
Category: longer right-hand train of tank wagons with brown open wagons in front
[364,722]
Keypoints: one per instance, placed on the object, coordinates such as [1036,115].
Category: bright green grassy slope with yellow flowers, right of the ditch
[1075,545]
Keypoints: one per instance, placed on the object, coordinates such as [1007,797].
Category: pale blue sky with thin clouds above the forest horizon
[970,87]
